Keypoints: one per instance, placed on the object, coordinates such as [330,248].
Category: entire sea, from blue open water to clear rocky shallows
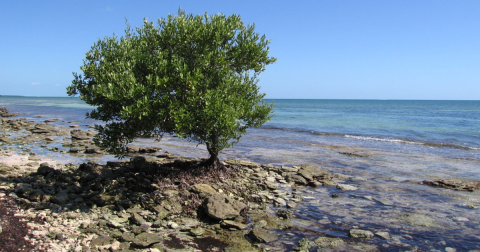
[386,147]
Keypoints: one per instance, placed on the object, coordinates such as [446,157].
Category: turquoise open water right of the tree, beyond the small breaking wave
[437,123]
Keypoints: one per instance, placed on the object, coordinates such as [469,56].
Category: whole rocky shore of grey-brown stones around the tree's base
[152,201]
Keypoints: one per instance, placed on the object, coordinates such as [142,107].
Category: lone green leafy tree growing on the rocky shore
[194,77]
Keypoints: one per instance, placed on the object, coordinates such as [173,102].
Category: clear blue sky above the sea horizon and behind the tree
[349,49]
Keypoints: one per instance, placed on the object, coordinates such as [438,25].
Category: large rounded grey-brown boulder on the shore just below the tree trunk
[221,207]
